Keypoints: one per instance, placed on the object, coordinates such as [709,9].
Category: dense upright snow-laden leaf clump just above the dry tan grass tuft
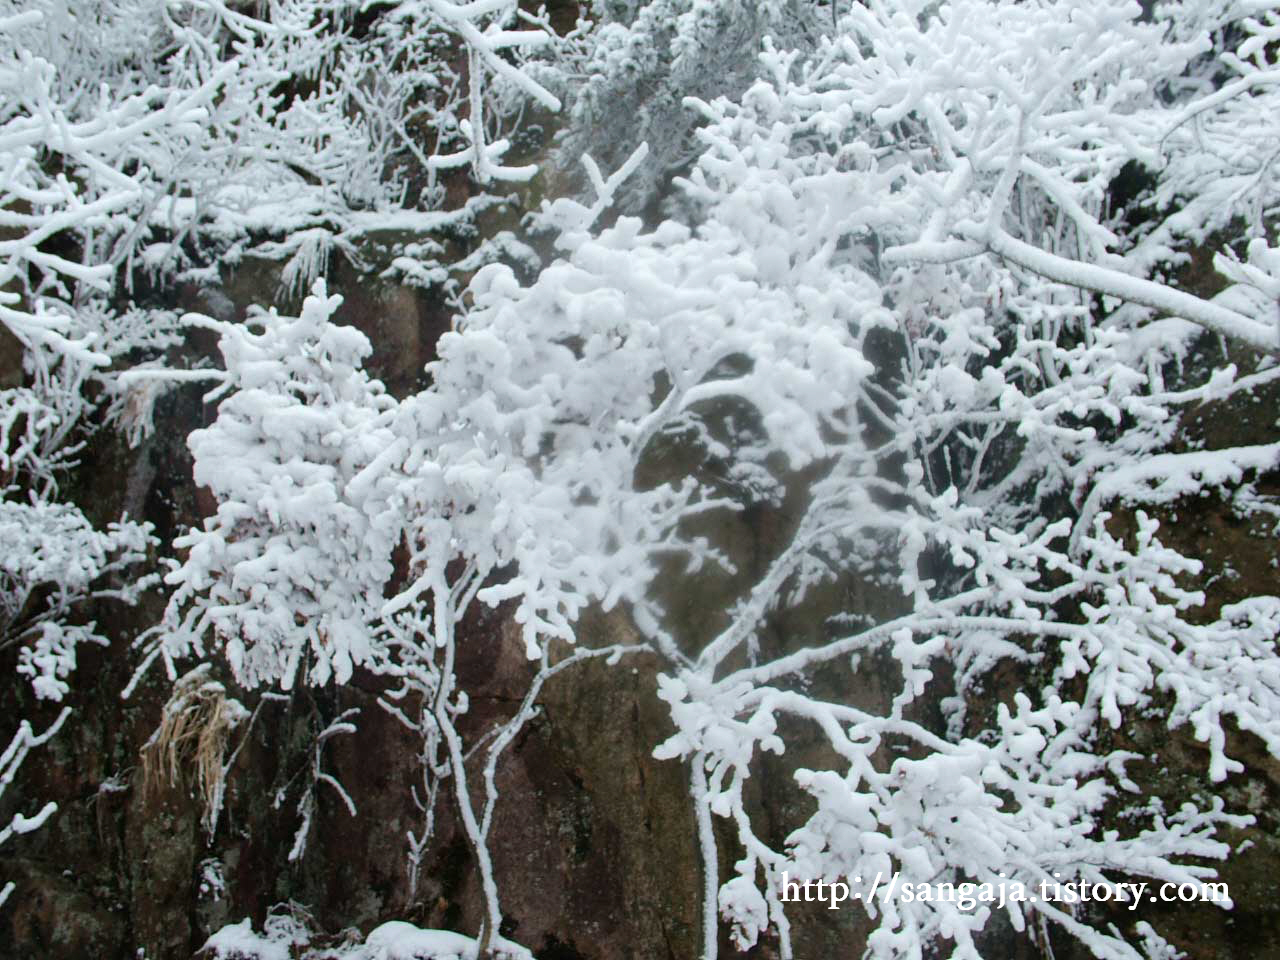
[295,559]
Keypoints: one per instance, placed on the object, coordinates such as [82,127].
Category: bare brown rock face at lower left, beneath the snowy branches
[593,845]
